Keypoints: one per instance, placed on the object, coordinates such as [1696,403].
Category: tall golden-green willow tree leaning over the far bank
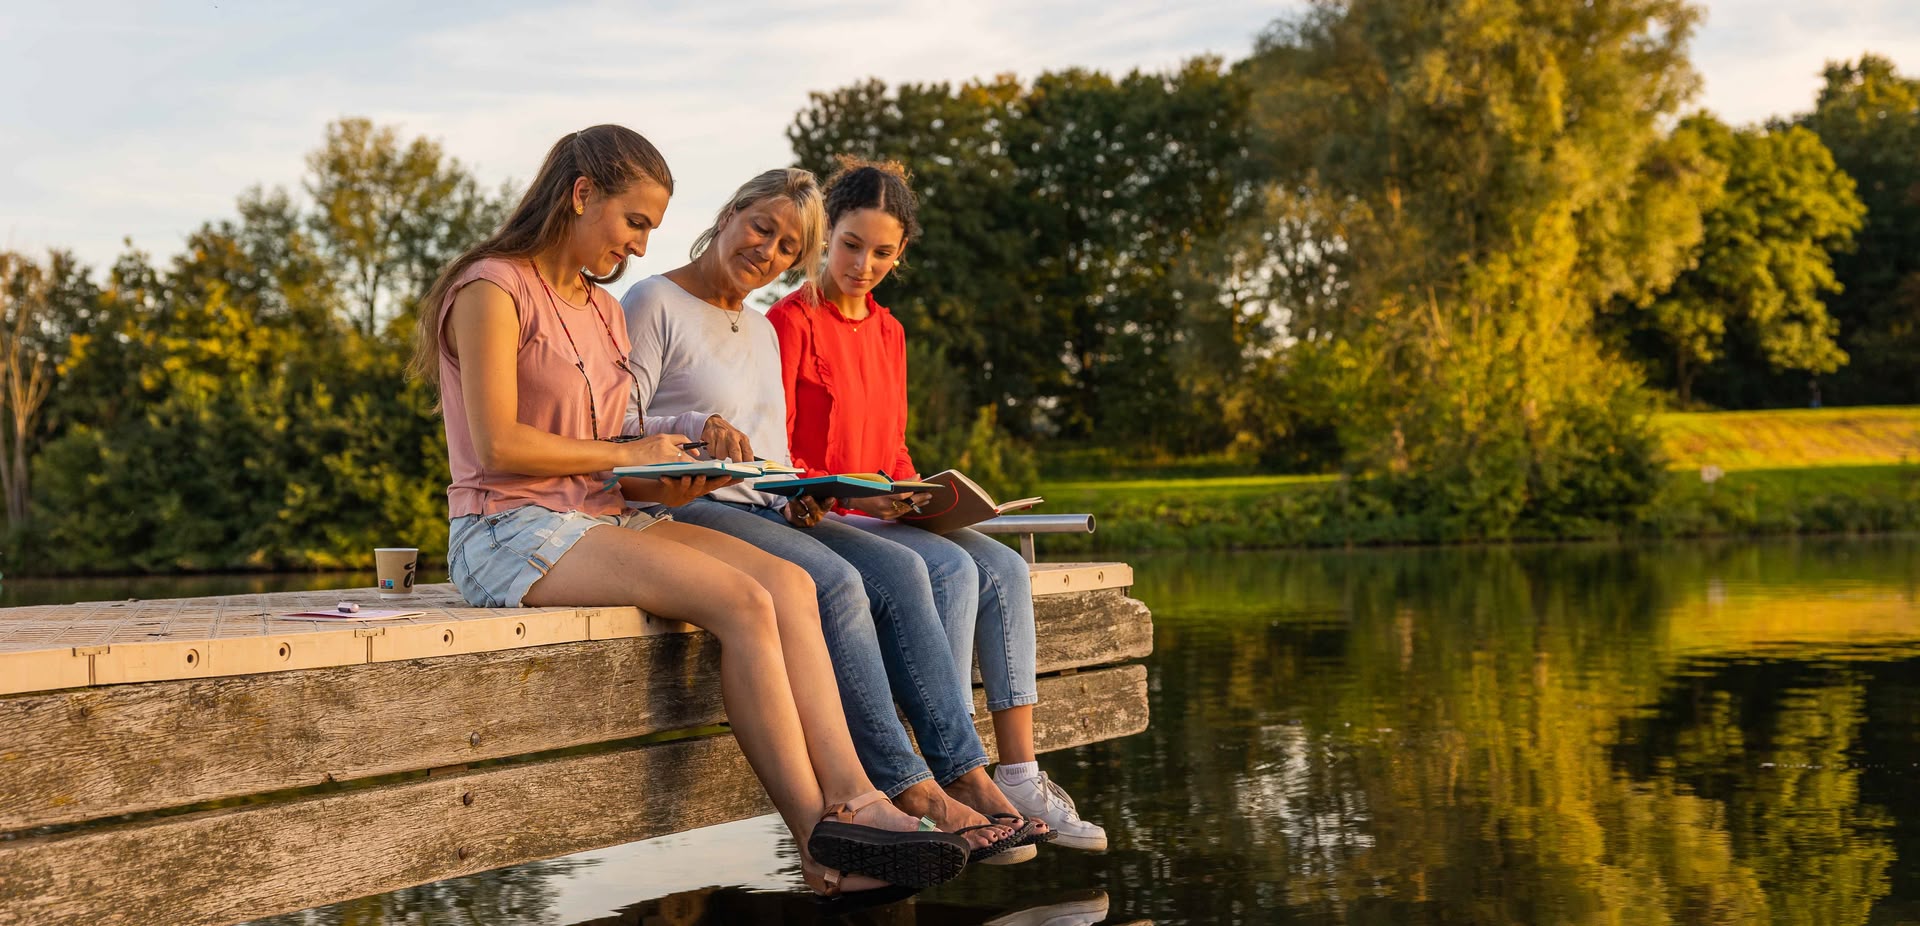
[1483,168]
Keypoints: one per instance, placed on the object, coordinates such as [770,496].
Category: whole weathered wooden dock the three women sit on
[206,762]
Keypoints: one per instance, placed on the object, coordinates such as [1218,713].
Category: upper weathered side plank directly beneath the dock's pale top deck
[99,752]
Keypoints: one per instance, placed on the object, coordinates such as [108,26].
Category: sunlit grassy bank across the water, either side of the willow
[1815,472]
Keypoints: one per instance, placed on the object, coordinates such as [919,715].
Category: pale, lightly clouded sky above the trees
[143,120]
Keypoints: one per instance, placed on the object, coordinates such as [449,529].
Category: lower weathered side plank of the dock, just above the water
[254,862]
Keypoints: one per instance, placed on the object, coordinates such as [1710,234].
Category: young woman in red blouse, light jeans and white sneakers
[844,366]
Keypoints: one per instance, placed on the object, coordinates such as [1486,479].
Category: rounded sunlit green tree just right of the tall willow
[1767,256]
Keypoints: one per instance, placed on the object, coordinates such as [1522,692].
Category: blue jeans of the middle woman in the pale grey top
[894,646]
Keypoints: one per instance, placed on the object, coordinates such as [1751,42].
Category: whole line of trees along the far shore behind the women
[1452,255]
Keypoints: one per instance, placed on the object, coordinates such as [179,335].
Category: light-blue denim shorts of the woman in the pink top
[496,558]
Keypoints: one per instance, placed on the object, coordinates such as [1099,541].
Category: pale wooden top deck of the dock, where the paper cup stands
[114,643]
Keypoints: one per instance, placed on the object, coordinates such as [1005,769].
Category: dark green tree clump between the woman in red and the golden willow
[1057,218]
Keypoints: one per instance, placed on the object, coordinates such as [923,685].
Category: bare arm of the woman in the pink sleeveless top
[485,333]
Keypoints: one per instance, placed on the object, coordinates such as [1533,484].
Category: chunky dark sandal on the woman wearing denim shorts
[907,860]
